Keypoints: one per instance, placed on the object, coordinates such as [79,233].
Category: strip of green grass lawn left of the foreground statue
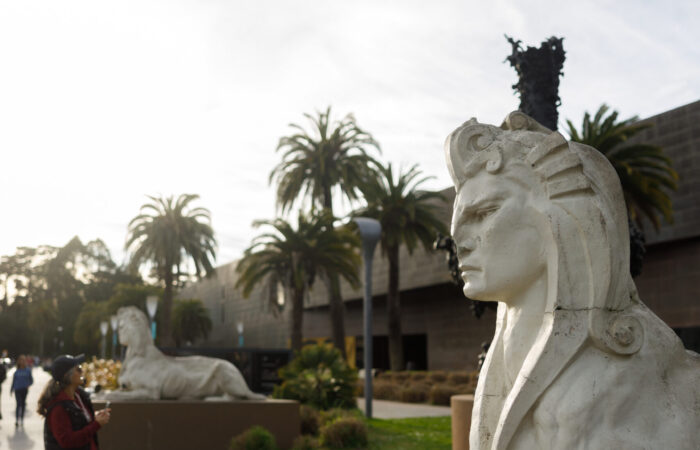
[423,433]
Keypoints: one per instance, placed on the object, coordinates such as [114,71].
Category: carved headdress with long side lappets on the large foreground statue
[591,298]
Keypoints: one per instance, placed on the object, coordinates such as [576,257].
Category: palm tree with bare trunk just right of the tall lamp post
[408,216]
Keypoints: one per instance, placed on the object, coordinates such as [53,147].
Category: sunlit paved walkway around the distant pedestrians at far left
[31,435]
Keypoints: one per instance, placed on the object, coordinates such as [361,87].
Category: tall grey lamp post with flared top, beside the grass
[370,231]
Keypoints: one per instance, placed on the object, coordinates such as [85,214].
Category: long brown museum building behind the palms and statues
[440,330]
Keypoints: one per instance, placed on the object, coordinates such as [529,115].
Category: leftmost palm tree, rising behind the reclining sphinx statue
[168,233]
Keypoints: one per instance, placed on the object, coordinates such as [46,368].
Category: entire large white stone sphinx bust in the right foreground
[577,360]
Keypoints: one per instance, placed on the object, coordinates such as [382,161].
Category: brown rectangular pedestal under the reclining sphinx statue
[188,425]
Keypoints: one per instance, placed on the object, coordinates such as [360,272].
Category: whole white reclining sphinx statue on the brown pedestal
[149,374]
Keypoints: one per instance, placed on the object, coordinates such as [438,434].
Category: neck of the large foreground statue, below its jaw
[523,320]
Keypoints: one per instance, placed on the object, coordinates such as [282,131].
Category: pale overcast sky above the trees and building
[105,102]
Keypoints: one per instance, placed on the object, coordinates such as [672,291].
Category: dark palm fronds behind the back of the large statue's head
[645,171]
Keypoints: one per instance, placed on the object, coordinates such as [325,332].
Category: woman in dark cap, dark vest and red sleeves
[71,422]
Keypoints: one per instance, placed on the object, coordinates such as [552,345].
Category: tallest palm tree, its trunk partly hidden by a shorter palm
[314,164]
